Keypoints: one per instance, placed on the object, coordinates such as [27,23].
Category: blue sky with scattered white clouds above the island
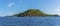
[10,7]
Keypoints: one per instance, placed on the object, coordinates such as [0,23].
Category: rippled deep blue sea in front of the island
[29,21]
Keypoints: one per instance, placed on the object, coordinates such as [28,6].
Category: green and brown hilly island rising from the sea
[32,12]
